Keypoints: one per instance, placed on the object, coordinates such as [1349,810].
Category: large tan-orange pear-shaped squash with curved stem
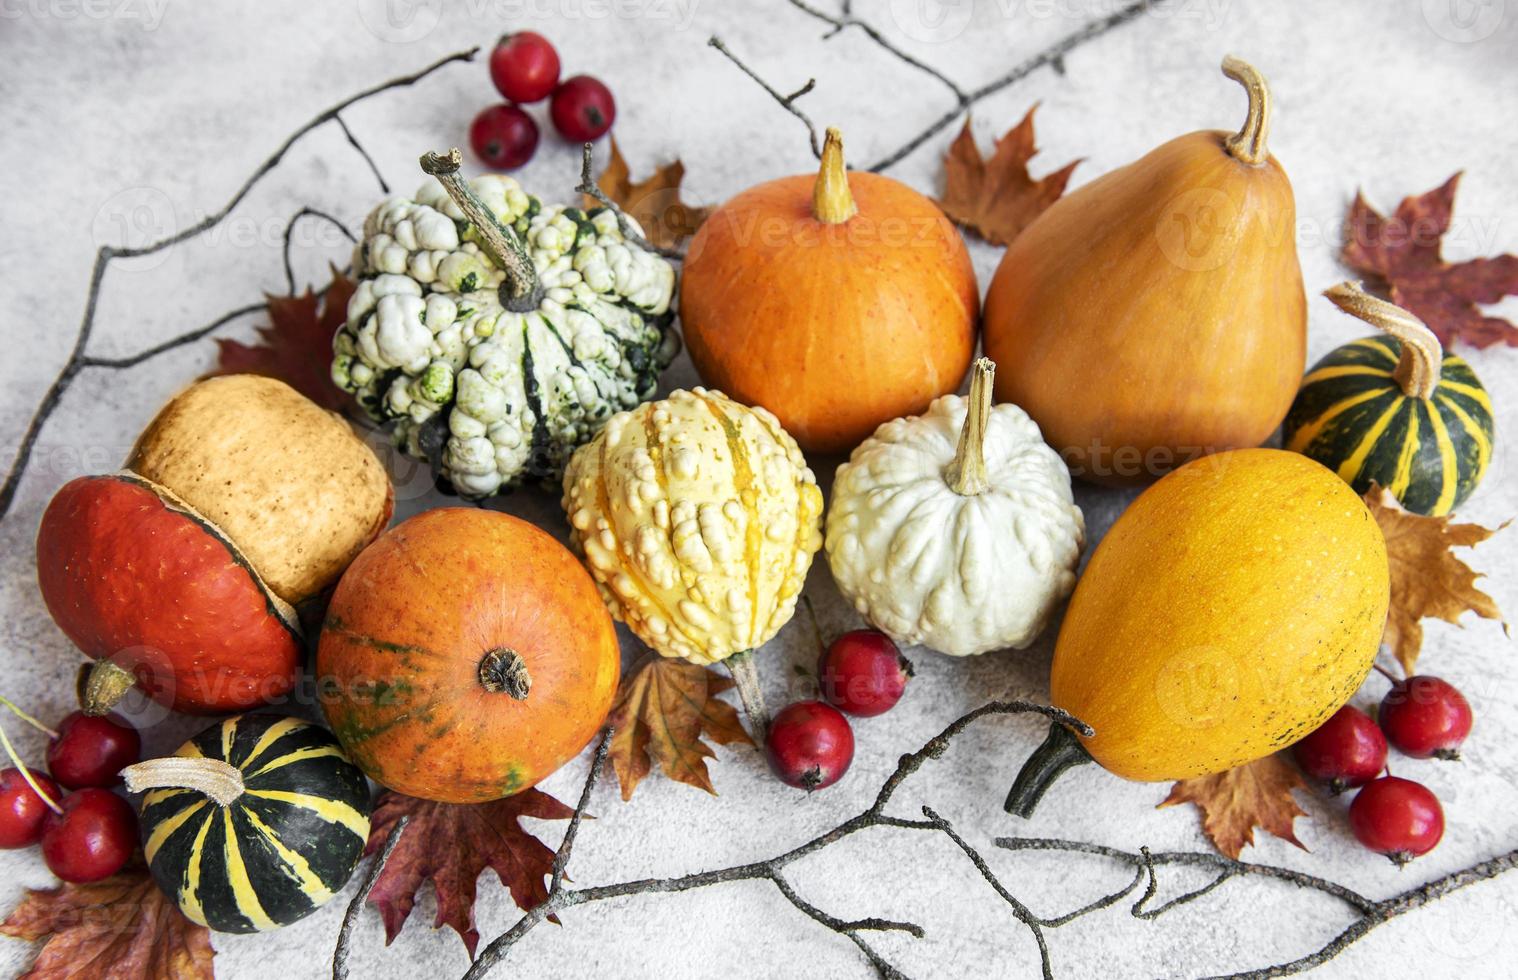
[1157,313]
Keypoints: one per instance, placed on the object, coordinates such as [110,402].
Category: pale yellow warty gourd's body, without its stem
[699,520]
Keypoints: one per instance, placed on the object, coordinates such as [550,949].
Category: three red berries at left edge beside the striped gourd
[89,834]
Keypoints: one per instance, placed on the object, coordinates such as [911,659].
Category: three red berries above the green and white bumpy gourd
[524,68]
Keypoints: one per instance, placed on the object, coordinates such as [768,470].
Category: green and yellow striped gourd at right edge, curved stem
[1394,410]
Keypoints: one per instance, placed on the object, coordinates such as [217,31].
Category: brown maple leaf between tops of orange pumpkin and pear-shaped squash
[998,198]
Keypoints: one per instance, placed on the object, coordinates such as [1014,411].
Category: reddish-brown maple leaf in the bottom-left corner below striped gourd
[119,929]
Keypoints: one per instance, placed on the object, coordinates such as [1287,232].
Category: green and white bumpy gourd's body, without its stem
[427,335]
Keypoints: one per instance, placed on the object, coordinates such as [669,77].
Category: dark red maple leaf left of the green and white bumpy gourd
[297,347]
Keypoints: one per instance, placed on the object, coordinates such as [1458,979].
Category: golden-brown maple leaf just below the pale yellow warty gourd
[663,711]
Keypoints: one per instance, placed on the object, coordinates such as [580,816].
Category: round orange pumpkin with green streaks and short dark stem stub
[467,656]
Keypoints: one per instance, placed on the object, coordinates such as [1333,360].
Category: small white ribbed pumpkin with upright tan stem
[957,529]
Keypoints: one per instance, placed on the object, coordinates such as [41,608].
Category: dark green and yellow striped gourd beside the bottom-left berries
[254,823]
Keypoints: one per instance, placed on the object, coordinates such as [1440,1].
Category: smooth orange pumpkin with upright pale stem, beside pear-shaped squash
[837,301]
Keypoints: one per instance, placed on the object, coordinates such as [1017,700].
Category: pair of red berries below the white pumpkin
[811,744]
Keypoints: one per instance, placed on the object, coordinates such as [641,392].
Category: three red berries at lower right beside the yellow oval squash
[1422,717]
